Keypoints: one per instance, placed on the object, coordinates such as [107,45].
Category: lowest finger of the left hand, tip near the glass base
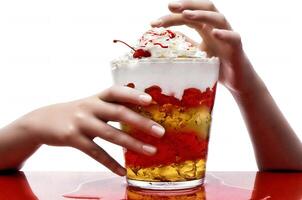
[93,150]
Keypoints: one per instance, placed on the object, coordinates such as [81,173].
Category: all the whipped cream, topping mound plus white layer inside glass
[174,64]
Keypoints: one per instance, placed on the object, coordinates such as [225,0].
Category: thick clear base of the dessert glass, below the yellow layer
[152,185]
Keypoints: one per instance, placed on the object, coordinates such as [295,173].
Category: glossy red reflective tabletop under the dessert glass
[107,186]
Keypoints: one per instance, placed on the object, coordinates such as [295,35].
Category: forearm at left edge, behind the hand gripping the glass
[16,145]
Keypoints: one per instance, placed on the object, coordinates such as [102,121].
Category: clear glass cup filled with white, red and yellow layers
[183,93]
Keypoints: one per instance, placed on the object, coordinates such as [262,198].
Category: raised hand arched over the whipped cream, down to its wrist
[218,39]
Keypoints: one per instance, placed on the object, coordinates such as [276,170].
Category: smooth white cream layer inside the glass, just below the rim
[173,78]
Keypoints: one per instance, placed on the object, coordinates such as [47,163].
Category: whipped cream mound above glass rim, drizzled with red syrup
[163,44]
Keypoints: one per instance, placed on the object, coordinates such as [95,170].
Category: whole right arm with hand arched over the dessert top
[275,144]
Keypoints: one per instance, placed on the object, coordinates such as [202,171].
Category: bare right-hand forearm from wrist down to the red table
[276,145]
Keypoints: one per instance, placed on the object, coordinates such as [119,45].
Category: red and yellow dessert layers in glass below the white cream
[181,152]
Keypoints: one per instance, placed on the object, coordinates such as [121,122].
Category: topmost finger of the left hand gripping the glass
[123,94]
